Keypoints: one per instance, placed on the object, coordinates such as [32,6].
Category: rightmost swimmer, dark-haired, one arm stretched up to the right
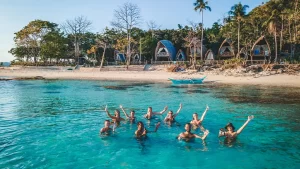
[229,132]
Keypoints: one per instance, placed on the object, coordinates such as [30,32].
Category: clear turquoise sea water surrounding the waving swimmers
[55,124]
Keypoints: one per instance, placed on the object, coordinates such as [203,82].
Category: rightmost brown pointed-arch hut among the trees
[261,49]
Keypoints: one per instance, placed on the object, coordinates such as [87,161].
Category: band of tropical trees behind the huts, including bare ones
[45,42]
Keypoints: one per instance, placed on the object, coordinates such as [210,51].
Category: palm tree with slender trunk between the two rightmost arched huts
[238,11]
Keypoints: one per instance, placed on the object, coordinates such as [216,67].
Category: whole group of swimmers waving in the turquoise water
[228,131]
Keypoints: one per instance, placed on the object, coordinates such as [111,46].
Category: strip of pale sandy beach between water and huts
[158,76]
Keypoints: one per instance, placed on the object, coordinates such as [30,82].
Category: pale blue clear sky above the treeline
[15,14]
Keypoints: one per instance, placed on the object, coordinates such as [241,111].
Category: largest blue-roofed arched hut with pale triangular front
[165,51]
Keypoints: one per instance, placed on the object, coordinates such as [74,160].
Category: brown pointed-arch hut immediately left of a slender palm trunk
[226,50]
